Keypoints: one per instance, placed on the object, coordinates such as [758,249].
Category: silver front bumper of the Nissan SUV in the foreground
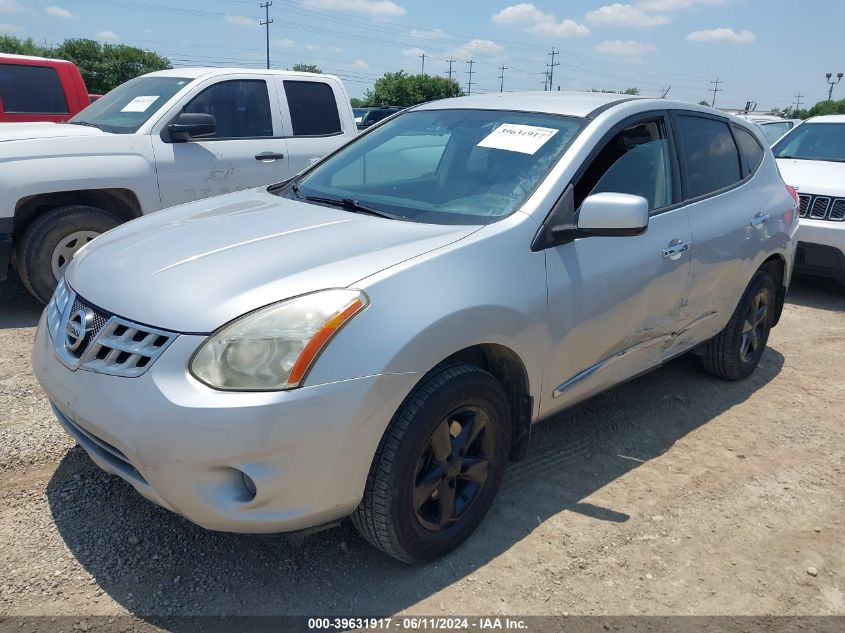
[187,447]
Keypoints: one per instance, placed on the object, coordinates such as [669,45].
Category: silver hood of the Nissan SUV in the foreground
[195,267]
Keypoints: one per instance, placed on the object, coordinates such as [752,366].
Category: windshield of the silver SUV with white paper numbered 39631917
[444,166]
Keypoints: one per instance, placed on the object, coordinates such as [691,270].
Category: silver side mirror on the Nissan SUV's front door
[613,214]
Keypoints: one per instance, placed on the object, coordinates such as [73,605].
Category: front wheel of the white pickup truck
[49,241]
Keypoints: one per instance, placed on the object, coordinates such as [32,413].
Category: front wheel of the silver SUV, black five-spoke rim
[388,516]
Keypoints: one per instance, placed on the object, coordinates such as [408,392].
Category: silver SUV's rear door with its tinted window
[727,214]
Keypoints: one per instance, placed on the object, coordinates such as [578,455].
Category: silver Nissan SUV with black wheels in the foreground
[376,336]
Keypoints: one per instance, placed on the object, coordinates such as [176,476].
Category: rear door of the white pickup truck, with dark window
[312,122]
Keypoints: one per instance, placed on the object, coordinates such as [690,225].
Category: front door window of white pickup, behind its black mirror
[240,107]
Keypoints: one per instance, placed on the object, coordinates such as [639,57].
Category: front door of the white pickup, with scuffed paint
[246,150]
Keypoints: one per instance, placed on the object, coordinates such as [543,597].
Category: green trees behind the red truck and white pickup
[103,66]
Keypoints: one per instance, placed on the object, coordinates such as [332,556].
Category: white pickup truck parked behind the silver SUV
[156,141]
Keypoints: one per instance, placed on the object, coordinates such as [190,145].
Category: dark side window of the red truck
[31,90]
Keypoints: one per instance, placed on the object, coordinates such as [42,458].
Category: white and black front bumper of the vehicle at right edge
[821,249]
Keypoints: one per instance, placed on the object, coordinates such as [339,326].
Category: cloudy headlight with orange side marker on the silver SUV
[272,348]
